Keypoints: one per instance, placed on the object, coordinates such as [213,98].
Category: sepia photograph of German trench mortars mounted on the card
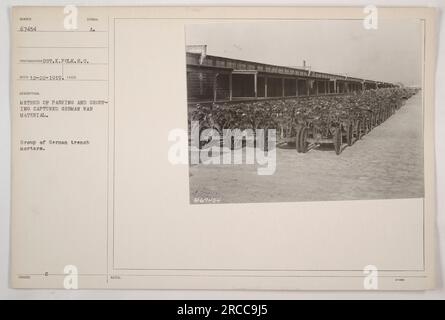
[305,110]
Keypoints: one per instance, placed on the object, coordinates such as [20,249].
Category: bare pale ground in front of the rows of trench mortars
[386,164]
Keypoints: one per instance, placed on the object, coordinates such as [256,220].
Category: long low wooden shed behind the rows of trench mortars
[213,78]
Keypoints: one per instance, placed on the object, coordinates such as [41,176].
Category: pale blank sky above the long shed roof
[392,53]
